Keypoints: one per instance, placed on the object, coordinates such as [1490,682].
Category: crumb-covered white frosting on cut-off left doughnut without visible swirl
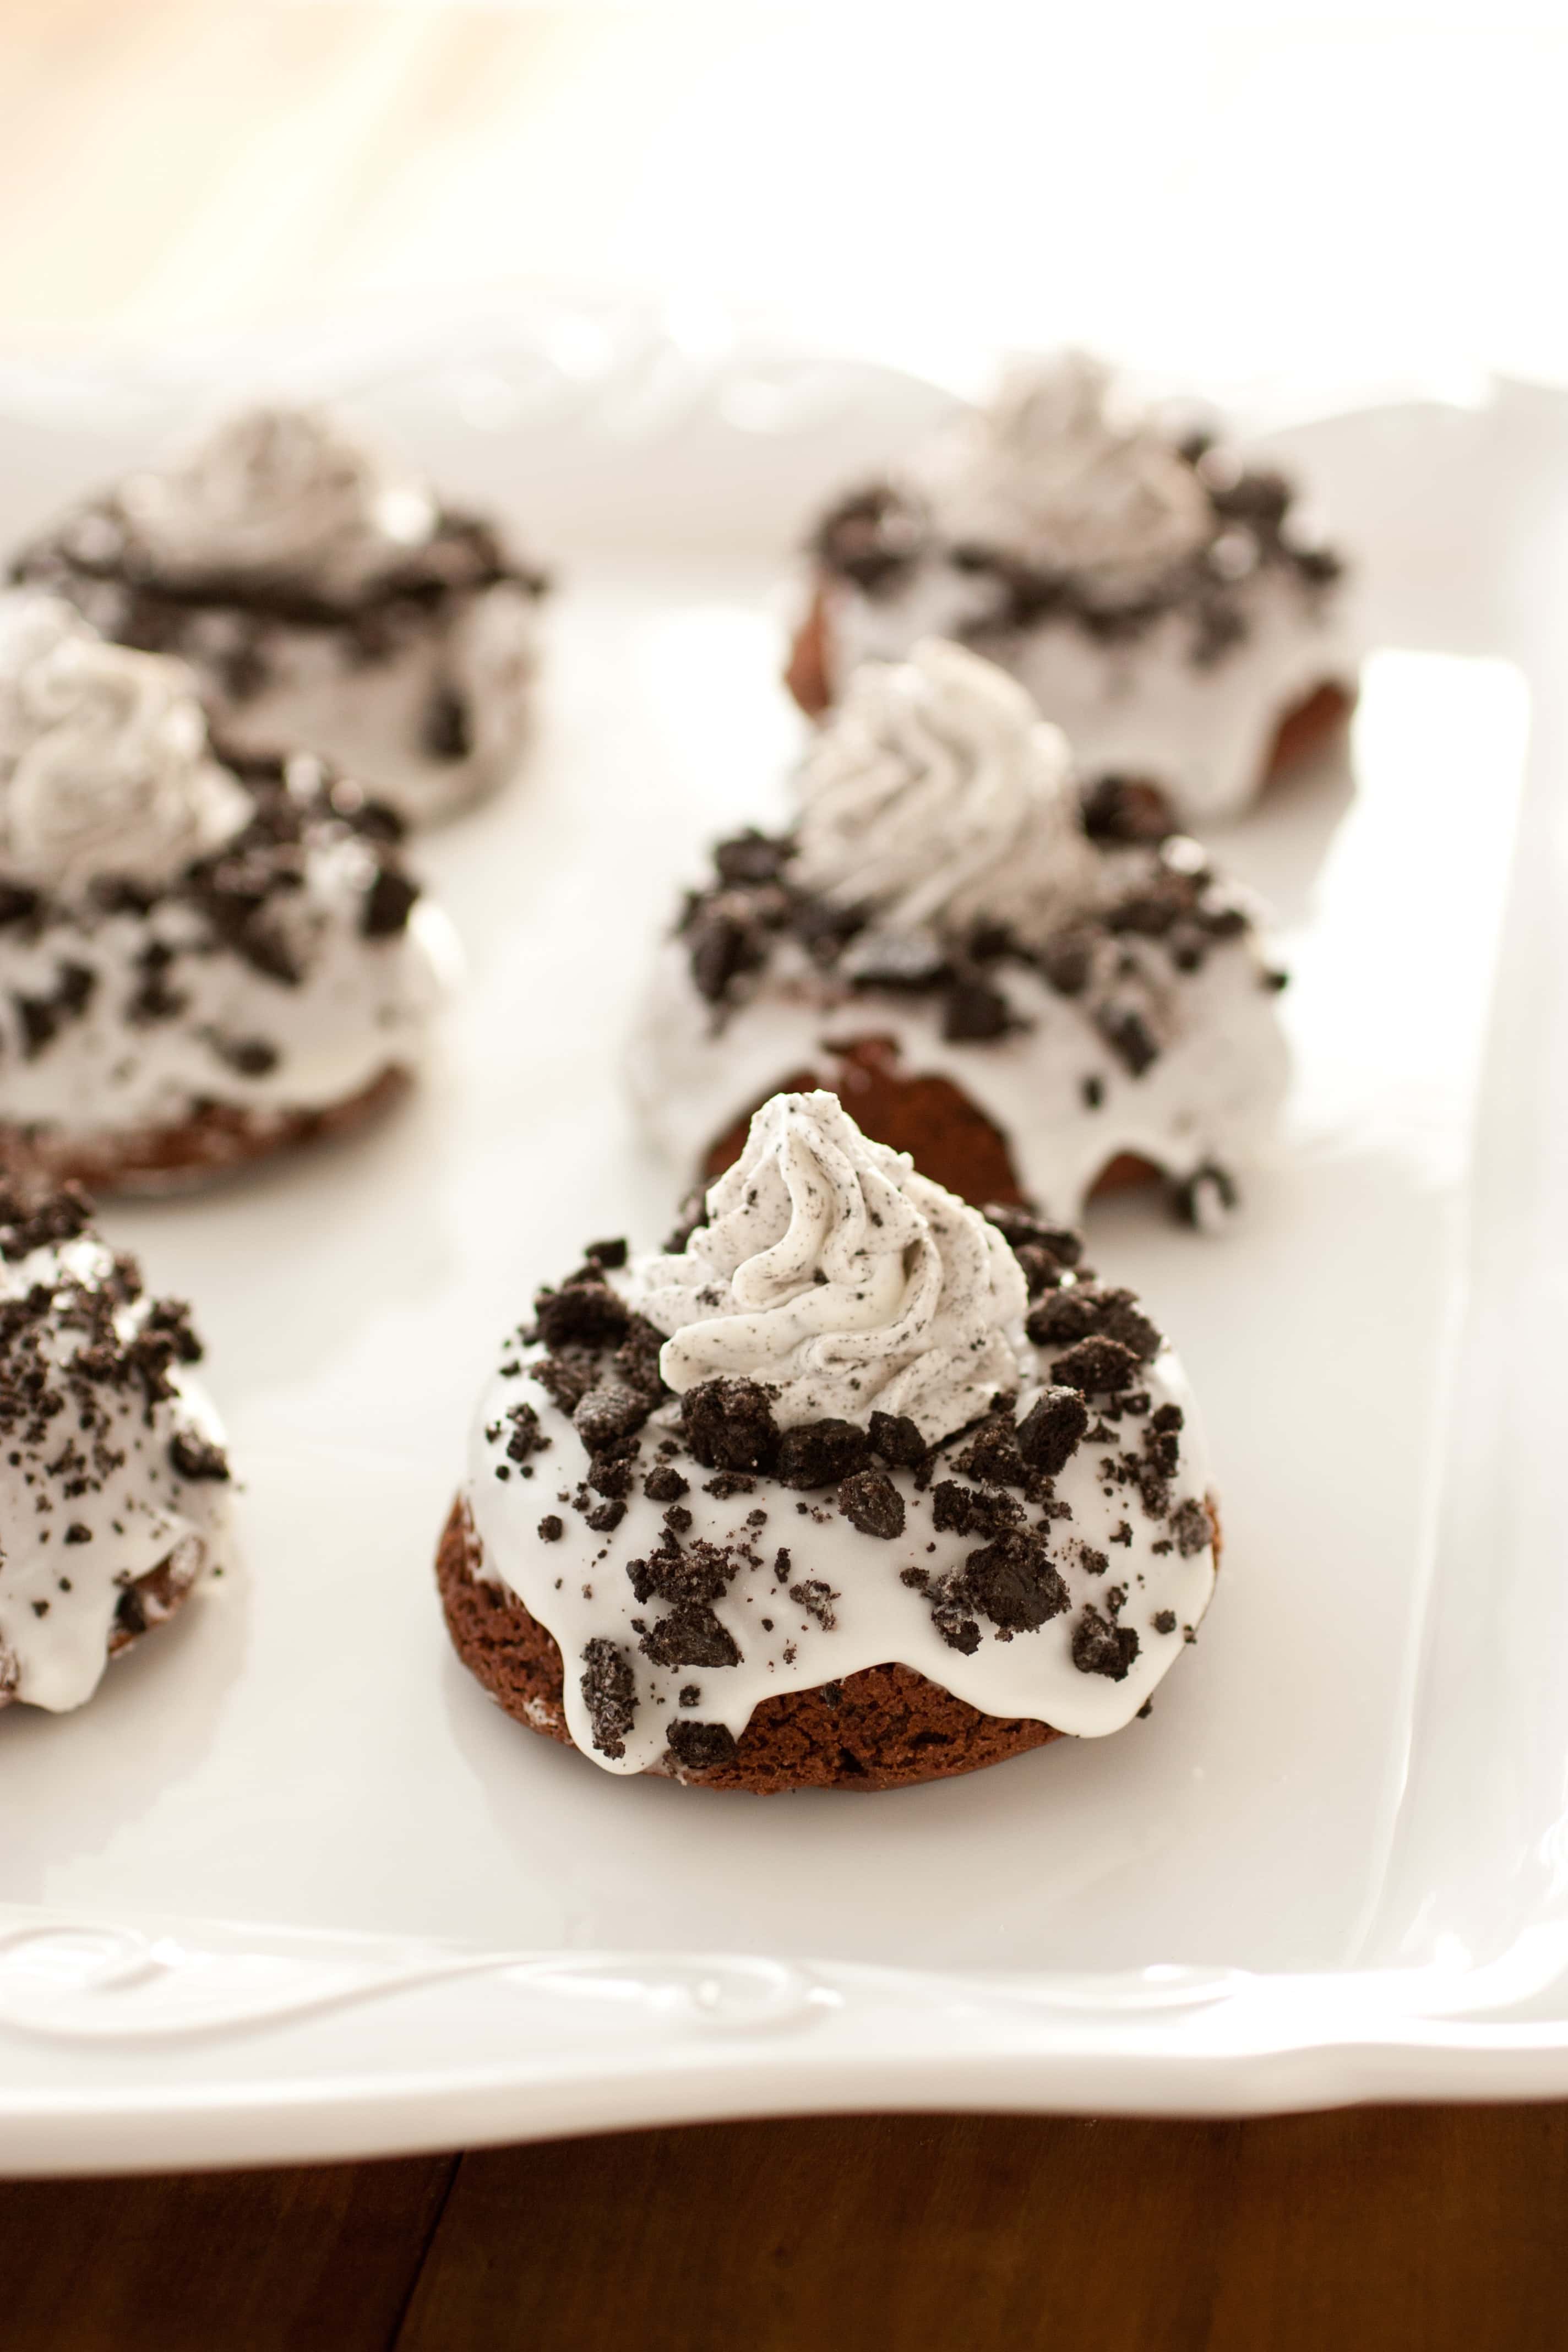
[114,1476]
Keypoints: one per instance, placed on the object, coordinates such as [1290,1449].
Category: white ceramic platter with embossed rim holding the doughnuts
[293,1887]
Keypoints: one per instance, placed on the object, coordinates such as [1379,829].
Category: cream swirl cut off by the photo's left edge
[105,766]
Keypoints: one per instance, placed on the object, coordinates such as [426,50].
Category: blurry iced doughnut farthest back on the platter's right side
[1165,601]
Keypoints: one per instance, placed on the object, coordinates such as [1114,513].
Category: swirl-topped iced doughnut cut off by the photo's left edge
[206,958]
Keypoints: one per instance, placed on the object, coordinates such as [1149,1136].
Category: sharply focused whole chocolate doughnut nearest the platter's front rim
[847,1488]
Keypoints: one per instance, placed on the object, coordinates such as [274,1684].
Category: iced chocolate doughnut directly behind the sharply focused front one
[1021,980]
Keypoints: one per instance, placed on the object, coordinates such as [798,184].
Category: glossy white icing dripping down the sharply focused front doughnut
[579,1589]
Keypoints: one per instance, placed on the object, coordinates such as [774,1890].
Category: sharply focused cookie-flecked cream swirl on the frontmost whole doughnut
[840,1281]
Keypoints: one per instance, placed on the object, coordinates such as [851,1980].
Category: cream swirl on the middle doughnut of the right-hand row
[939,796]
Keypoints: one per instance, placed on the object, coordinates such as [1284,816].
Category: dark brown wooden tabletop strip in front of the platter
[1412,2231]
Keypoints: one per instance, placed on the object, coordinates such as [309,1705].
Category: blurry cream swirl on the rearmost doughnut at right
[1052,474]
